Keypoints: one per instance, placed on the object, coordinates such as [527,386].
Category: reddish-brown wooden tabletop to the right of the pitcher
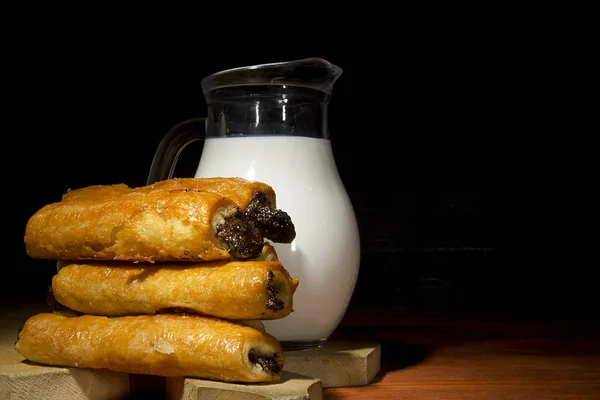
[428,356]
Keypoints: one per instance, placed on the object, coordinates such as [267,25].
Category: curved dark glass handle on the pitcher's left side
[171,146]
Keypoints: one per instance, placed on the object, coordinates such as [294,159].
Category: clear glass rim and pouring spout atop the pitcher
[312,73]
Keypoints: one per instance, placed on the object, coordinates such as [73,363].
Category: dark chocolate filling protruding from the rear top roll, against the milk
[274,224]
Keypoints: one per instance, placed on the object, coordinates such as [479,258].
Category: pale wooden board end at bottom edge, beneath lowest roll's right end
[290,387]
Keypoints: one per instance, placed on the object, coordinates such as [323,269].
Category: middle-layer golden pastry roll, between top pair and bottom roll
[232,290]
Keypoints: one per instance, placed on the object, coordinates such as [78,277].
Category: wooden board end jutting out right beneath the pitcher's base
[337,363]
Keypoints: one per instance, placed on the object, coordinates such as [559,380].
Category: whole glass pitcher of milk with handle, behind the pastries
[269,123]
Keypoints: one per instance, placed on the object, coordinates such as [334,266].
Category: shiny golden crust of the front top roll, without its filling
[158,225]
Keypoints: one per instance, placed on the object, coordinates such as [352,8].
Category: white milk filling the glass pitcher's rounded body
[325,254]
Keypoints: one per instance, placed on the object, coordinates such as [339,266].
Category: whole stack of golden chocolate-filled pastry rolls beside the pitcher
[168,279]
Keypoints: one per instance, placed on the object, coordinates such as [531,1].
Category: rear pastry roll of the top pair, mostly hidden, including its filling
[255,199]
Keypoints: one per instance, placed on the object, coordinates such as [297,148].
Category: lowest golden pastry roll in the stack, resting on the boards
[163,344]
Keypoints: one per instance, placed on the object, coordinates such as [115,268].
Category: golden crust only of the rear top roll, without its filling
[239,190]
